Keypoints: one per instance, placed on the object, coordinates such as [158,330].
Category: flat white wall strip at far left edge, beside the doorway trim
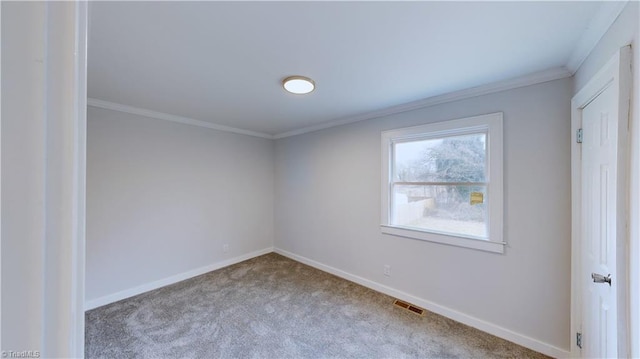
[23,174]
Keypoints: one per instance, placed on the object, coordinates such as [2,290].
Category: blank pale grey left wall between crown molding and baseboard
[163,198]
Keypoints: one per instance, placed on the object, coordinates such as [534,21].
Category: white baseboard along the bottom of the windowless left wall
[127,293]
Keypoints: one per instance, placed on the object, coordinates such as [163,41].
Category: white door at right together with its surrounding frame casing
[600,226]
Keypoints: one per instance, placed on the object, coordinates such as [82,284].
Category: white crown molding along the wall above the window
[527,80]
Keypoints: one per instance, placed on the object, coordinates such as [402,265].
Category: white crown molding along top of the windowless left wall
[173,118]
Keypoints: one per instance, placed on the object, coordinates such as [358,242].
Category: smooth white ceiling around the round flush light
[223,62]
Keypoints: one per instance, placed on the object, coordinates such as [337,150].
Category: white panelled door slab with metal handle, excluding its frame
[599,170]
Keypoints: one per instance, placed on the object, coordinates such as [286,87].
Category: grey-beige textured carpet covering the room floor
[273,307]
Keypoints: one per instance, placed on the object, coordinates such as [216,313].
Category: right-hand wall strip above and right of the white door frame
[624,31]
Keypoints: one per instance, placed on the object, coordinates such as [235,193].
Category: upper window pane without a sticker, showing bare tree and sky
[447,159]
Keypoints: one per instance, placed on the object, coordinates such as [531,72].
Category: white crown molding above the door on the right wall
[606,14]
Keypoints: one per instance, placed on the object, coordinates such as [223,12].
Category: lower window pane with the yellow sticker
[458,210]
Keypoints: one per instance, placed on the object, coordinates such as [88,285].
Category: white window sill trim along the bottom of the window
[478,244]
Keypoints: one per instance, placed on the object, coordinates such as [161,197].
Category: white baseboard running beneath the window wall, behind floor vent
[480,324]
